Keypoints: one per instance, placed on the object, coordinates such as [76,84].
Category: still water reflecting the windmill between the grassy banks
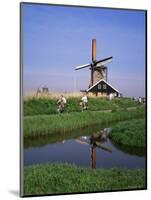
[80,148]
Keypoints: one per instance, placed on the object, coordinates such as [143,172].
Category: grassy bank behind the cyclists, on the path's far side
[38,106]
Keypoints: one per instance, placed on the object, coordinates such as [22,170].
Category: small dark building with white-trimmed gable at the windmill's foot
[102,88]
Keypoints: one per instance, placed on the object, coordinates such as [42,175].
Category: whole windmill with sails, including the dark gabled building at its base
[99,75]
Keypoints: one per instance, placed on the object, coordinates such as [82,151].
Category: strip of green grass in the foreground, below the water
[65,178]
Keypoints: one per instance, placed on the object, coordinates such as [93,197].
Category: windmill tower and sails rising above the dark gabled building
[98,68]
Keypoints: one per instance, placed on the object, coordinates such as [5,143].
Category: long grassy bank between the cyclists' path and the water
[50,124]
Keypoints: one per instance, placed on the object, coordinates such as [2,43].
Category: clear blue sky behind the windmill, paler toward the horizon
[56,39]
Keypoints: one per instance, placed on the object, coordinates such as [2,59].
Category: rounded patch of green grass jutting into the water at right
[130,133]
